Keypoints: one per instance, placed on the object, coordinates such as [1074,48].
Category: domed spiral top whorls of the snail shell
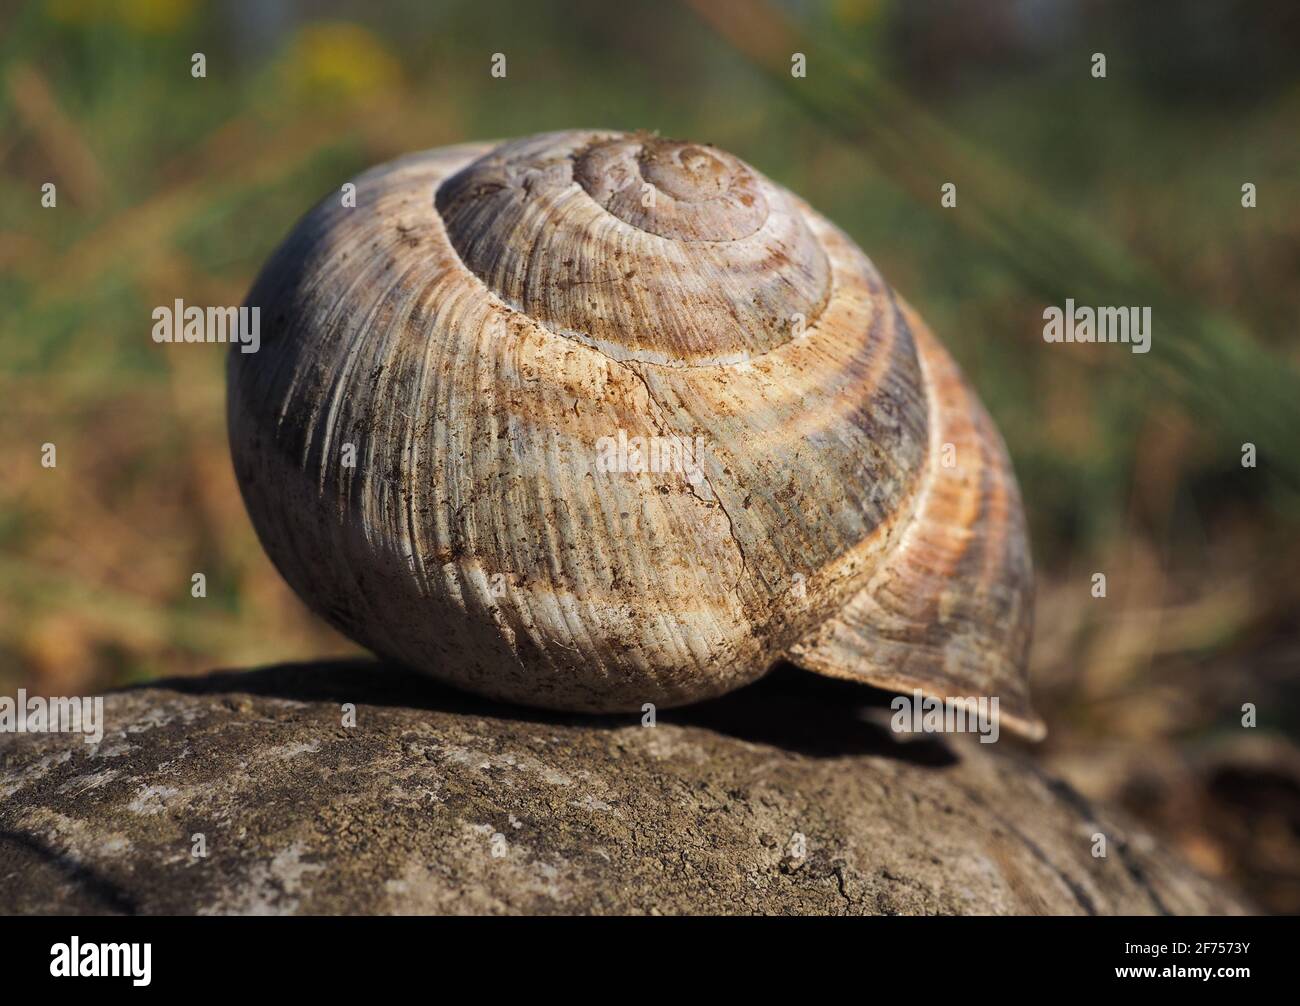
[645,249]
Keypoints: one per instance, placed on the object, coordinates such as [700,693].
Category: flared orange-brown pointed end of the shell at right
[951,610]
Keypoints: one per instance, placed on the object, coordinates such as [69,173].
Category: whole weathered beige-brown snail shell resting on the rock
[486,315]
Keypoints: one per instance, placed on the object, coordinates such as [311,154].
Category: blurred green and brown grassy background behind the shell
[1117,192]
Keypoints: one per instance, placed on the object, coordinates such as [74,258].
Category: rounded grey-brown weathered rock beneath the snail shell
[781,799]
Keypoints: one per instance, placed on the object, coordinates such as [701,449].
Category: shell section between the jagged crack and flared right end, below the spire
[817,449]
